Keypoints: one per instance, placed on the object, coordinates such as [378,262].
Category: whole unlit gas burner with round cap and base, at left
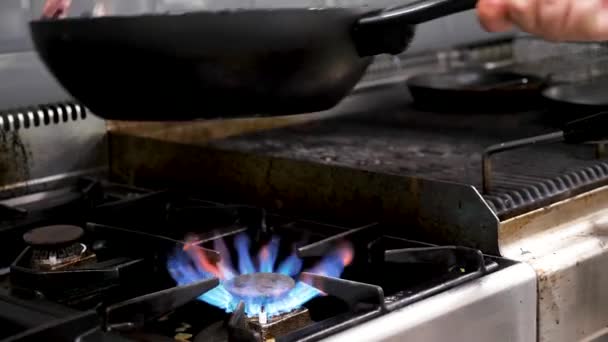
[57,247]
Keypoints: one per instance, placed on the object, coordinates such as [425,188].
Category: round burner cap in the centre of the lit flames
[259,285]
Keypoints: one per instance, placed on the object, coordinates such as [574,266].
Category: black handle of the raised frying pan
[392,29]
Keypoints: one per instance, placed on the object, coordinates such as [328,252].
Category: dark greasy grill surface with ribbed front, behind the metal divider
[398,138]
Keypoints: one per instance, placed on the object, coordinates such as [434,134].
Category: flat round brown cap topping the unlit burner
[53,236]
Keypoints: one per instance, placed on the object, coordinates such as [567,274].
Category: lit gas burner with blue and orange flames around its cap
[267,288]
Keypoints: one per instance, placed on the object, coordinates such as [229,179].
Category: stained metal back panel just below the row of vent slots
[38,152]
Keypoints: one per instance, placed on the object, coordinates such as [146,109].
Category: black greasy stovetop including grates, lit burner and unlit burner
[129,264]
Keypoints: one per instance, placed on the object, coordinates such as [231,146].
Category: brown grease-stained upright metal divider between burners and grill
[440,211]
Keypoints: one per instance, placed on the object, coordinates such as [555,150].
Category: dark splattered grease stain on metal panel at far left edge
[15,158]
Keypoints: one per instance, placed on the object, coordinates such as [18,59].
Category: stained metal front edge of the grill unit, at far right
[567,245]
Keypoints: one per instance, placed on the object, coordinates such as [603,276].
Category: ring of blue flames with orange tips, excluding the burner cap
[184,268]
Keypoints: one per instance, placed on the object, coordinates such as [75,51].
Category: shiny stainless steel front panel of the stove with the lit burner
[448,316]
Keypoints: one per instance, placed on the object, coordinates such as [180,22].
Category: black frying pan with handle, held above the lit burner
[224,64]
